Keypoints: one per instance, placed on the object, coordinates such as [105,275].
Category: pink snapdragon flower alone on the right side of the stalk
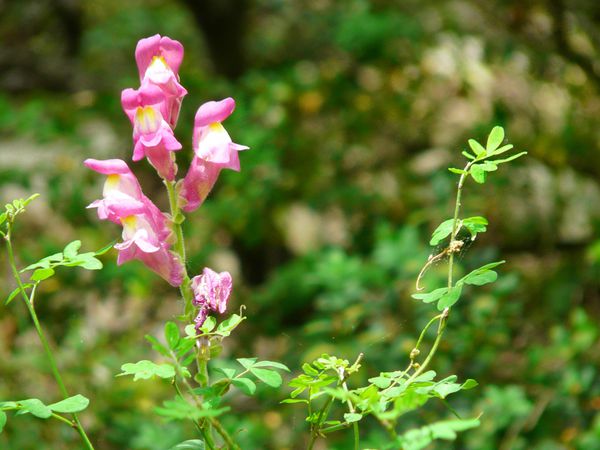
[213,151]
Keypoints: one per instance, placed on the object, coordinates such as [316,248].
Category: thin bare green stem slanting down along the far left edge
[54,367]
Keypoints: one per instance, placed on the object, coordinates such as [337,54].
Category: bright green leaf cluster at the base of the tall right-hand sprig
[387,397]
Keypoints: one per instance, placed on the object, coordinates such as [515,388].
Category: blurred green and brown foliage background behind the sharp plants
[353,110]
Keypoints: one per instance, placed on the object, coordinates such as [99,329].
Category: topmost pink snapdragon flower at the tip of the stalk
[158,60]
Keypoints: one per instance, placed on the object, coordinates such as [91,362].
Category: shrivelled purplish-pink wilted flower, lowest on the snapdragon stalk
[211,293]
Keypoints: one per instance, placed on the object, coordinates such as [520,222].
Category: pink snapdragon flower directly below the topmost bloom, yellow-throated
[152,135]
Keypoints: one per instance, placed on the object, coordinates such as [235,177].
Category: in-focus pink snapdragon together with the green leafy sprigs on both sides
[156,239]
